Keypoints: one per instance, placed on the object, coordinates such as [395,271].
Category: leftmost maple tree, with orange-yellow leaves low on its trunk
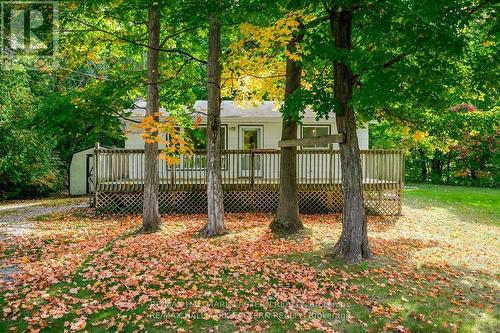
[165,63]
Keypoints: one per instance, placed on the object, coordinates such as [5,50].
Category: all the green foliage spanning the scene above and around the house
[411,60]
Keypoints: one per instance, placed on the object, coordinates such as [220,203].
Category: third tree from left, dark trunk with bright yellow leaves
[265,62]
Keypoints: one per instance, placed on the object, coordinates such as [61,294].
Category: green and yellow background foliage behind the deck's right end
[458,146]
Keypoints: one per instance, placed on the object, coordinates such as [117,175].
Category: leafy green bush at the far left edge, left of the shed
[28,165]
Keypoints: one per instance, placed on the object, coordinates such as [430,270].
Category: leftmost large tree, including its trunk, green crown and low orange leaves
[119,39]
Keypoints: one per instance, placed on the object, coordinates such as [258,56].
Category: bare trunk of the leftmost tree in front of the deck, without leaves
[151,220]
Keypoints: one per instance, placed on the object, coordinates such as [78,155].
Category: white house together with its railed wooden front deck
[250,167]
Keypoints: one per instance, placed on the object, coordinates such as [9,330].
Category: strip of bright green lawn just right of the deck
[473,204]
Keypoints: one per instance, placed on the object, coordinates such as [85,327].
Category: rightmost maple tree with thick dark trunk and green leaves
[358,66]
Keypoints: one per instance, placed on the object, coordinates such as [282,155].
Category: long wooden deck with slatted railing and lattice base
[249,178]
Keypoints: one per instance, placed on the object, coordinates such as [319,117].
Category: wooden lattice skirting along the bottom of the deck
[377,202]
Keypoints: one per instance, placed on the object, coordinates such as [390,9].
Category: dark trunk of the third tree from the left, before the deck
[287,219]
